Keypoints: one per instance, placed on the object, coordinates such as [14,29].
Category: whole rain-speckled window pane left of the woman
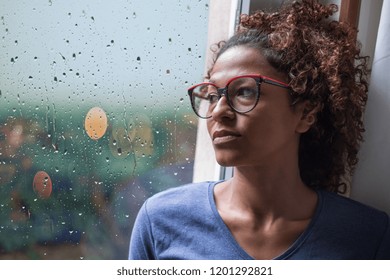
[94,118]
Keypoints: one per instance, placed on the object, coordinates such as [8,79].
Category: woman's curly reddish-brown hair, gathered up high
[322,60]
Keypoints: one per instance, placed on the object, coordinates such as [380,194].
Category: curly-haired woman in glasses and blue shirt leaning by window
[283,102]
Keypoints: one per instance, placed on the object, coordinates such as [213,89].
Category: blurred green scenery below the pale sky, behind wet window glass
[98,185]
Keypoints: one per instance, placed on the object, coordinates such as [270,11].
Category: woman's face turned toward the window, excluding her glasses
[269,134]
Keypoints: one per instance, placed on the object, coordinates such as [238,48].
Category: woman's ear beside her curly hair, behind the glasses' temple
[308,115]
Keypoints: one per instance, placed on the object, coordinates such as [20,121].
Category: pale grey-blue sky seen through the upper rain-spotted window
[96,51]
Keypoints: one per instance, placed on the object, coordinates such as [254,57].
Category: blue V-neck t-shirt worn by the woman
[184,223]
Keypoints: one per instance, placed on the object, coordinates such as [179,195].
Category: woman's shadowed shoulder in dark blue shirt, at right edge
[343,228]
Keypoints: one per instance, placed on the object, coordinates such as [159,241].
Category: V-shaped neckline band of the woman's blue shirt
[230,238]
